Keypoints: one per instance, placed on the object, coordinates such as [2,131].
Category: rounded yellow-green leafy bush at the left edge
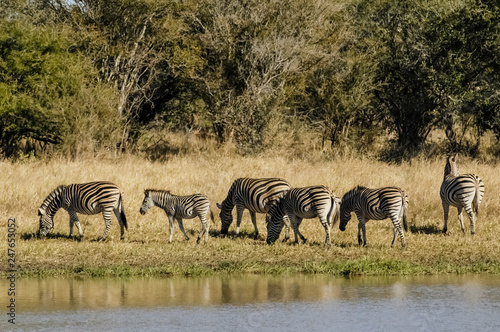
[48,95]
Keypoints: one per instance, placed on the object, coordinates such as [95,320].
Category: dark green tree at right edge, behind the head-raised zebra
[465,47]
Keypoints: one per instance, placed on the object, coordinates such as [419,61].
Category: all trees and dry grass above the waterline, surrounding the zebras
[190,95]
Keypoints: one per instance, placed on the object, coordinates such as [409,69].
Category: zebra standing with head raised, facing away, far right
[461,191]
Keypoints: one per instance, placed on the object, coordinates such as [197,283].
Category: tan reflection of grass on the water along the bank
[68,294]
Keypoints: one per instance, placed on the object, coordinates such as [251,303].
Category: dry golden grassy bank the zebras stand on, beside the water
[146,250]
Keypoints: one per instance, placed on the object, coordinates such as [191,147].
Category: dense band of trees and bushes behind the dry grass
[84,75]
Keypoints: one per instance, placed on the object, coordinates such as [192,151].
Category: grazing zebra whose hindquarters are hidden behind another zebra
[256,195]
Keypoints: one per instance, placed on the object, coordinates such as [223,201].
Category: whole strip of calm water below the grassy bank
[257,303]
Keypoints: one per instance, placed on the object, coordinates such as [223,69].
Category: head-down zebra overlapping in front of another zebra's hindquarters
[299,203]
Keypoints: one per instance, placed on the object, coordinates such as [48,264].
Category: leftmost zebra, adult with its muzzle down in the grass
[86,198]
